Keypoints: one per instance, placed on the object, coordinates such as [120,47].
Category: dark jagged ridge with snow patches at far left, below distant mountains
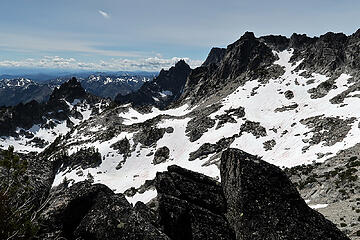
[67,105]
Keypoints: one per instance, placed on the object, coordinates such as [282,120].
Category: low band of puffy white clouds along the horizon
[143,64]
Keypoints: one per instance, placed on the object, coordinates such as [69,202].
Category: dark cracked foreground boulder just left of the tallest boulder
[191,206]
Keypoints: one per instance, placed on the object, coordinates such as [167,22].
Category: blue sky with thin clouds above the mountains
[150,35]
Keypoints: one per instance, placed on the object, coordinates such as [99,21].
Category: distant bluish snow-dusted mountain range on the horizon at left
[15,90]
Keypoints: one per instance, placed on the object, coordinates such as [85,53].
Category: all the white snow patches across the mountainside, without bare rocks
[259,100]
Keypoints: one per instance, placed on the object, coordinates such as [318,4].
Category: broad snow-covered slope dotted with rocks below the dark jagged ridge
[286,129]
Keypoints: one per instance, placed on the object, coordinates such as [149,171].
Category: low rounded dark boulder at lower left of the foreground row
[85,211]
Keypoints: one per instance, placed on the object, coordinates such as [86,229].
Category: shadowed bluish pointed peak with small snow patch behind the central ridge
[162,91]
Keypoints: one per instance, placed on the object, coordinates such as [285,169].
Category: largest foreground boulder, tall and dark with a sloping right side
[262,203]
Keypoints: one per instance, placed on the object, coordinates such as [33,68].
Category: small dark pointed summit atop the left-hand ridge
[69,91]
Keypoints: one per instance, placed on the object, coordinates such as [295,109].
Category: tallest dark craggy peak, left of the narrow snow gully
[247,59]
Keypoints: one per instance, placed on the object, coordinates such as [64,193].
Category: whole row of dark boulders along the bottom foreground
[190,206]
